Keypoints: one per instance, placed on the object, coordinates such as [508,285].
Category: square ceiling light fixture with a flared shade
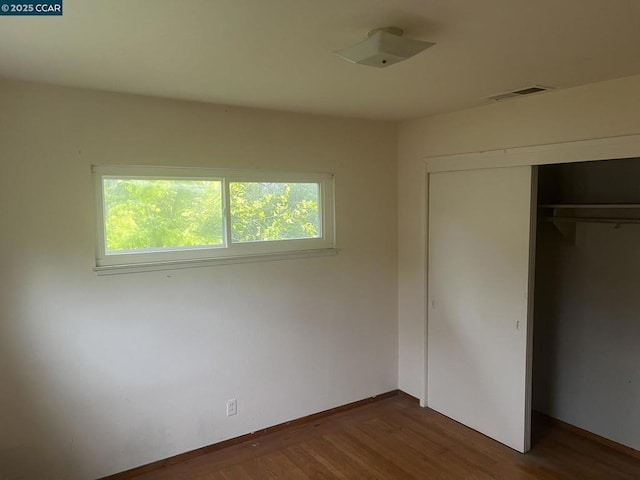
[385,46]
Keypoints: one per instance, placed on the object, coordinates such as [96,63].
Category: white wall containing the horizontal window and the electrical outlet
[101,374]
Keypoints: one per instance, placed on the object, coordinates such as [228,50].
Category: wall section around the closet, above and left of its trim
[593,111]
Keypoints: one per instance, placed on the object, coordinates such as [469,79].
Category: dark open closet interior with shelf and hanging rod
[586,347]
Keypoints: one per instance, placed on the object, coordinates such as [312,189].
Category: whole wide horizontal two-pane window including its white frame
[159,216]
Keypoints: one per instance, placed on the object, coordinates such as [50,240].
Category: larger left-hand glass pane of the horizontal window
[159,214]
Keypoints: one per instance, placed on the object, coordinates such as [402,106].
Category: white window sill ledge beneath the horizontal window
[210,262]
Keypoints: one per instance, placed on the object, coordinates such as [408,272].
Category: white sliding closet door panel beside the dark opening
[480,239]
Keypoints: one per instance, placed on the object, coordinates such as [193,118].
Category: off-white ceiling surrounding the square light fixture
[277,54]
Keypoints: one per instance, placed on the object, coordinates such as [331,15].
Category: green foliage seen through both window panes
[155,214]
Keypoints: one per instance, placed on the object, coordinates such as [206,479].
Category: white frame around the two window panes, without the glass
[229,252]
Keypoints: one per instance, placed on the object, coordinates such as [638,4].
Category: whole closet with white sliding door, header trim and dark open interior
[533,289]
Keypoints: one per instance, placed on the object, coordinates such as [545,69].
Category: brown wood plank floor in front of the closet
[396,439]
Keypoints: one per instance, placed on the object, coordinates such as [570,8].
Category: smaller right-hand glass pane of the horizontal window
[274,211]
